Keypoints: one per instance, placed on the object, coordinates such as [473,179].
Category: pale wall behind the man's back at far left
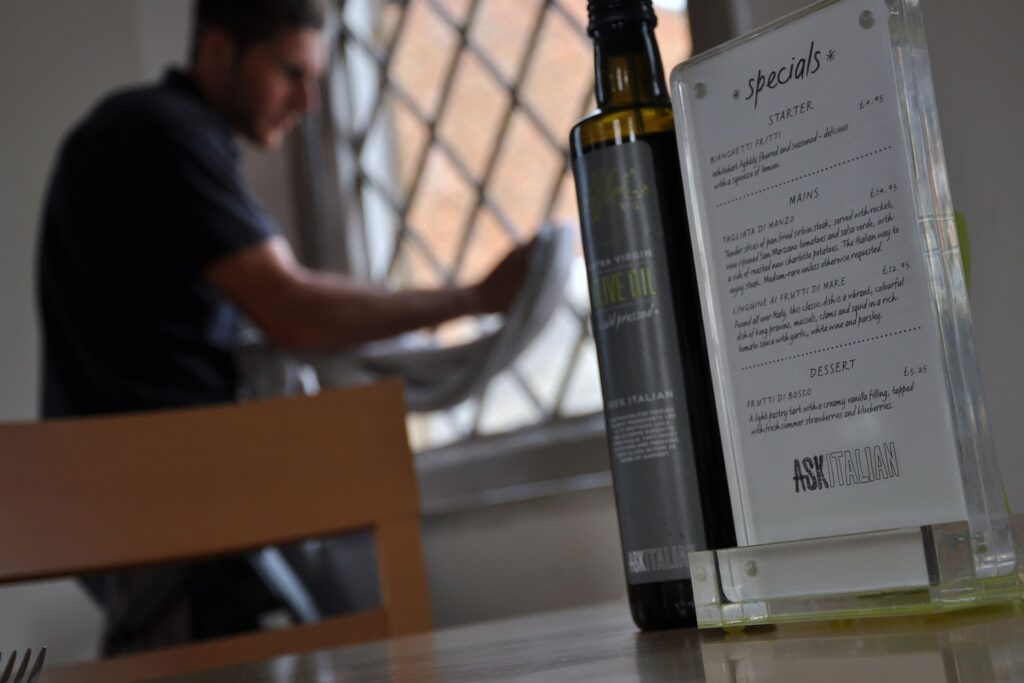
[55,57]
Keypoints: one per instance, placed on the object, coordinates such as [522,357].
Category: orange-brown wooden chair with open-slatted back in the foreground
[90,495]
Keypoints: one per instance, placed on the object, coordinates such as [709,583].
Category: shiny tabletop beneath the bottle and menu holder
[601,645]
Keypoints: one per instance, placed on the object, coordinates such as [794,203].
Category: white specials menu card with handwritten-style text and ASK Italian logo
[818,282]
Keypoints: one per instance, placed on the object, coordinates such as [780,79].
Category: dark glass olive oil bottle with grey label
[663,432]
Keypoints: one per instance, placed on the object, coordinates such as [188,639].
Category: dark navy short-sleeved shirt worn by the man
[147,193]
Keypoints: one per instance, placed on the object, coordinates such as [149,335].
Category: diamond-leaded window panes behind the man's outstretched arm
[451,121]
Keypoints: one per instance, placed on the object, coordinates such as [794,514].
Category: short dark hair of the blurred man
[253,22]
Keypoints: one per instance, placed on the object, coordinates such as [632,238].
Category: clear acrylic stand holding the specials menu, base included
[862,469]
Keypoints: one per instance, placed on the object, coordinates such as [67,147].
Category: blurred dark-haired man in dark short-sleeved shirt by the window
[153,245]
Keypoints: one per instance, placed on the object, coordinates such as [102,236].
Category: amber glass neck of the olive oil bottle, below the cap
[628,66]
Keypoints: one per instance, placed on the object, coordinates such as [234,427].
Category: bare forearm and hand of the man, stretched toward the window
[303,310]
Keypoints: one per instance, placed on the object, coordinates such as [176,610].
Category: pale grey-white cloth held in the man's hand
[436,377]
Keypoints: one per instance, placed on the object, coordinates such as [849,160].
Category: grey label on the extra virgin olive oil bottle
[649,429]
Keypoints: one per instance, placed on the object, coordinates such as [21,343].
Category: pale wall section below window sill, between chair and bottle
[524,558]
